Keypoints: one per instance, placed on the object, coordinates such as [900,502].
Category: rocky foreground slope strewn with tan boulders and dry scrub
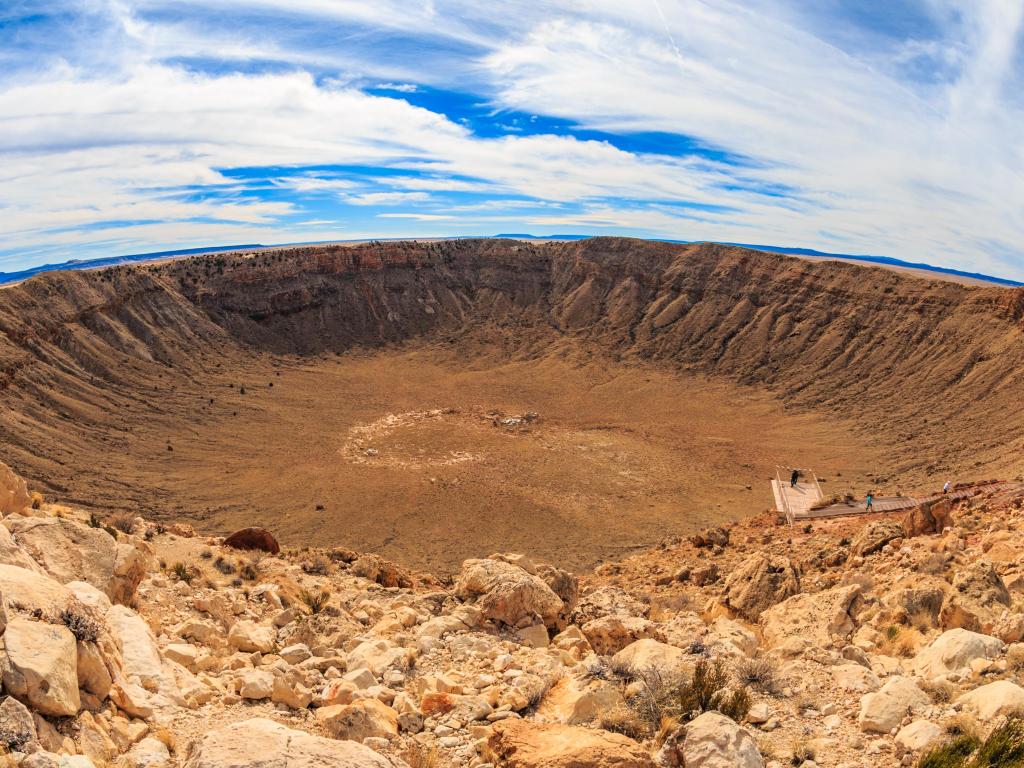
[870,643]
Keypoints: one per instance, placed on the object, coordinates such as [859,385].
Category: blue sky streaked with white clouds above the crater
[848,126]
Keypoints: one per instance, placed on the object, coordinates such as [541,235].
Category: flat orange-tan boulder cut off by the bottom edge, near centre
[519,744]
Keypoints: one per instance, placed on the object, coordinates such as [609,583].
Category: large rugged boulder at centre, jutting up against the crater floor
[510,595]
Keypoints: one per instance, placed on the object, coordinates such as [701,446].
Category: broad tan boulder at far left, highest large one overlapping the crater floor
[71,551]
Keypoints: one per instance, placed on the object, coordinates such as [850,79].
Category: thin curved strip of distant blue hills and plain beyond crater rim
[8,278]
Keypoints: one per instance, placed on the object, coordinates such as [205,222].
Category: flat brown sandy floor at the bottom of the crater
[423,471]
